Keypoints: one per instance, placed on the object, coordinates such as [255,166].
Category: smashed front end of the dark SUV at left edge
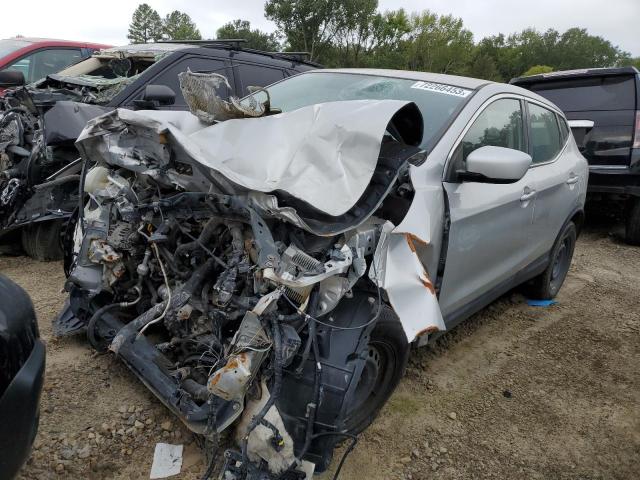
[38,167]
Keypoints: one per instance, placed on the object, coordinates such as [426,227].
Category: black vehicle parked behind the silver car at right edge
[603,109]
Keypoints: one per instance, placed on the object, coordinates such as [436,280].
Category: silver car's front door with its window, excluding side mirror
[491,224]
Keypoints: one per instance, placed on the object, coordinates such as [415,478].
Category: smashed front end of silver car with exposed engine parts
[242,310]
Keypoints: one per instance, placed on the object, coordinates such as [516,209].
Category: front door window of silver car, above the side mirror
[499,125]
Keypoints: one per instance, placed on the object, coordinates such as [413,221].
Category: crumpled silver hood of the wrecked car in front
[323,154]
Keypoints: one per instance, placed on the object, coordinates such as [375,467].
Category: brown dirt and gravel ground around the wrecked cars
[515,392]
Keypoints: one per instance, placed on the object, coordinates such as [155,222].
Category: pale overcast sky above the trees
[107,21]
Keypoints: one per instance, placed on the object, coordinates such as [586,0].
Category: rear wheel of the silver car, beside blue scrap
[547,285]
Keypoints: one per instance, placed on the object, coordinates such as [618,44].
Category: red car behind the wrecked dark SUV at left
[38,57]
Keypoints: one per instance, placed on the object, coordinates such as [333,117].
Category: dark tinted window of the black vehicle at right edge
[588,94]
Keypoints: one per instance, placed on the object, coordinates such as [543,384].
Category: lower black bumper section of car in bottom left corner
[19,412]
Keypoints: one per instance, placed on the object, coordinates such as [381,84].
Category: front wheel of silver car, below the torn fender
[386,364]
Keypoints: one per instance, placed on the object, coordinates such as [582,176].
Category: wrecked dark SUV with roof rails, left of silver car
[39,123]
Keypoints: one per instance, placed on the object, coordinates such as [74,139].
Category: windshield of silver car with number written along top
[437,102]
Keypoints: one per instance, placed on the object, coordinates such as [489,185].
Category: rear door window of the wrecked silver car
[544,134]
